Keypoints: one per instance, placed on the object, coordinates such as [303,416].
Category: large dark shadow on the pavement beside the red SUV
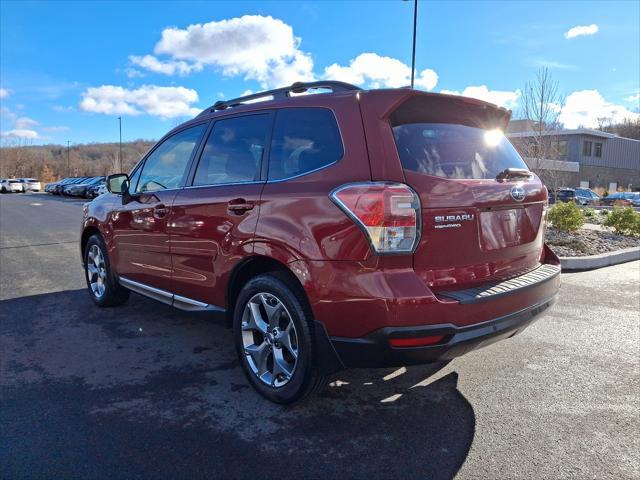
[147,391]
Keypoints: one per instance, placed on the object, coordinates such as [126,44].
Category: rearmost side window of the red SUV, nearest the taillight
[304,139]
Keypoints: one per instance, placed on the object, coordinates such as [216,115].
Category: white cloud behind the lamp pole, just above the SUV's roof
[378,71]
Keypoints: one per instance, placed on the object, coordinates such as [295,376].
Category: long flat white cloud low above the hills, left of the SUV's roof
[163,102]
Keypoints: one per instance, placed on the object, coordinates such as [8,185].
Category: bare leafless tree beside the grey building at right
[541,105]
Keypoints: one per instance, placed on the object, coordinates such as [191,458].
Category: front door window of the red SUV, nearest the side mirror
[164,168]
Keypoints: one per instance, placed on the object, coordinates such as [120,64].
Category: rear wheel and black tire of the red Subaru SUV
[274,336]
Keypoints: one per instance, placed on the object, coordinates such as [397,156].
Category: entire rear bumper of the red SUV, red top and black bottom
[367,309]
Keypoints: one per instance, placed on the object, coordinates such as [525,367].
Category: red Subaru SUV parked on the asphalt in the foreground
[348,228]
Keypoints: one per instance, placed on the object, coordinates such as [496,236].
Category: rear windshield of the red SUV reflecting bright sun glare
[454,151]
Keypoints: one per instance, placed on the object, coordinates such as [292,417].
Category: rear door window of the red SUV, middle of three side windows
[234,150]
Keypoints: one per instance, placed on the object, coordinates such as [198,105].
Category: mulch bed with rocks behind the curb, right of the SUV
[587,242]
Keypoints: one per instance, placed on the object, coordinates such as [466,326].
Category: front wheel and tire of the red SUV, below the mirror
[102,284]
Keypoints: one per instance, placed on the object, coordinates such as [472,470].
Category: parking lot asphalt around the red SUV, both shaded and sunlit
[144,391]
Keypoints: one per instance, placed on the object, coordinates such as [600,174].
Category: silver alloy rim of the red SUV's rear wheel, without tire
[269,339]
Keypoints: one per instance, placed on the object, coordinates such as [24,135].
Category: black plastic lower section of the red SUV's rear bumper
[375,351]
